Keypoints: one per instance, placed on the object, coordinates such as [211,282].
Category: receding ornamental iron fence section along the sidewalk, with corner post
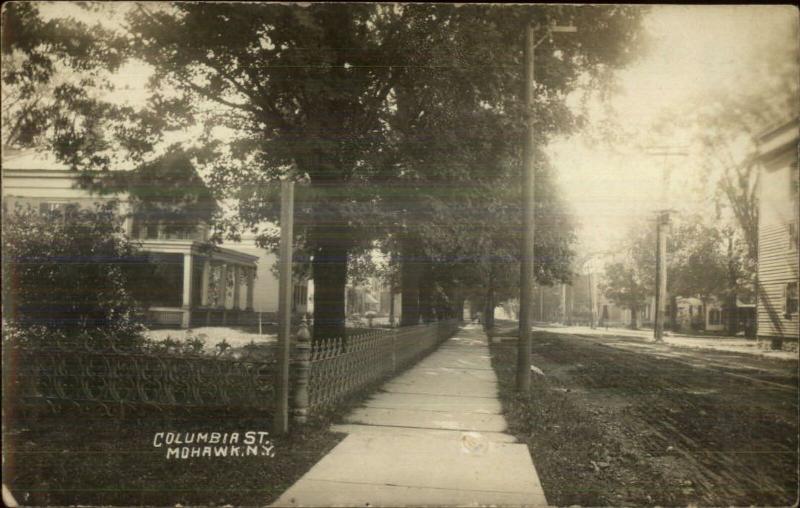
[337,368]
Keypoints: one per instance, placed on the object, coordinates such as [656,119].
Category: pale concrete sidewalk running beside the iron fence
[432,436]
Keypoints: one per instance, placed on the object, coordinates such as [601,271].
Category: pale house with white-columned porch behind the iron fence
[231,284]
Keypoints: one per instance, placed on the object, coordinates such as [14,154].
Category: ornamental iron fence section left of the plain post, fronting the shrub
[81,376]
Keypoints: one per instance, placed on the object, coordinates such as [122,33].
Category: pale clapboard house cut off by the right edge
[778,258]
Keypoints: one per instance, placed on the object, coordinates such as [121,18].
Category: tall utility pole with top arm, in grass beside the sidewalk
[529,161]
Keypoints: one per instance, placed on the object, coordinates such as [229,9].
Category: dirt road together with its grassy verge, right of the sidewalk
[674,426]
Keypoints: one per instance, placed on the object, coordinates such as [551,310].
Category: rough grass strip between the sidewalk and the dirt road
[582,454]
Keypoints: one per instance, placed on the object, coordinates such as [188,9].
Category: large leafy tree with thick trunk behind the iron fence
[355,101]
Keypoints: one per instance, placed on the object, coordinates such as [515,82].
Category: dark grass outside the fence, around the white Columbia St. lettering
[98,460]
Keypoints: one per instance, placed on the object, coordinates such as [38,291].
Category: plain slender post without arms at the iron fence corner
[281,421]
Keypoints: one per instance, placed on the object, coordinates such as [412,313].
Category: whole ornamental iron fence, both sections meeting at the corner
[85,375]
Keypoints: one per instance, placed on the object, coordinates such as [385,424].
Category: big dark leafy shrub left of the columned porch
[71,274]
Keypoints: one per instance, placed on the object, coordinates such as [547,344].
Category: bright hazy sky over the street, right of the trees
[696,52]
